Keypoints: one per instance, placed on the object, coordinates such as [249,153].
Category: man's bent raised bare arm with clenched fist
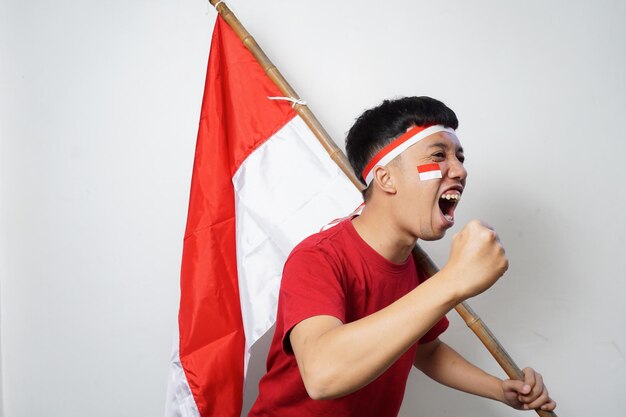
[336,359]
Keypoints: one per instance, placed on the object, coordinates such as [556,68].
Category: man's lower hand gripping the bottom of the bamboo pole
[529,394]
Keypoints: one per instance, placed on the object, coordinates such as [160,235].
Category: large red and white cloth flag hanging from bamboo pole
[261,183]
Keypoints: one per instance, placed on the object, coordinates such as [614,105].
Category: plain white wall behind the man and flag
[100,102]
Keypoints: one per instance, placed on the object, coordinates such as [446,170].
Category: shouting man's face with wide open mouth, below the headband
[426,207]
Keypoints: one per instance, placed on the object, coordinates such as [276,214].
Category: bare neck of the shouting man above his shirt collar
[379,230]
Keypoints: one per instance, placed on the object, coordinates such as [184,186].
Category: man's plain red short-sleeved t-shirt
[336,273]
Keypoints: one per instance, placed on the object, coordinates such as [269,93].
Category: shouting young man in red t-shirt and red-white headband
[354,312]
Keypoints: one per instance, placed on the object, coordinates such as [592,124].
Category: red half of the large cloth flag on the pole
[236,118]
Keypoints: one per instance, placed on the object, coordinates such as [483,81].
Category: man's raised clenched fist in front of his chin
[477,259]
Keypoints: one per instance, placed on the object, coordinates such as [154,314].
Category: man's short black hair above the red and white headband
[377,127]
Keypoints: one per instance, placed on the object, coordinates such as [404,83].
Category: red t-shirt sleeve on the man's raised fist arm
[311,286]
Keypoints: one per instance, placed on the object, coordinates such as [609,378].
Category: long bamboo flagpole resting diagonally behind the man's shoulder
[473,321]
